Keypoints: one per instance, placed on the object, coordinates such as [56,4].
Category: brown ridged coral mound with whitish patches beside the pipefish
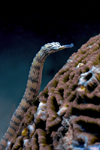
[66,114]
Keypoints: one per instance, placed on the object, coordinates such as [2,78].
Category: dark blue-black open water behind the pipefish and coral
[24,28]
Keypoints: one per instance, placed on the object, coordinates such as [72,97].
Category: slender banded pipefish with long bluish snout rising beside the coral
[32,89]
